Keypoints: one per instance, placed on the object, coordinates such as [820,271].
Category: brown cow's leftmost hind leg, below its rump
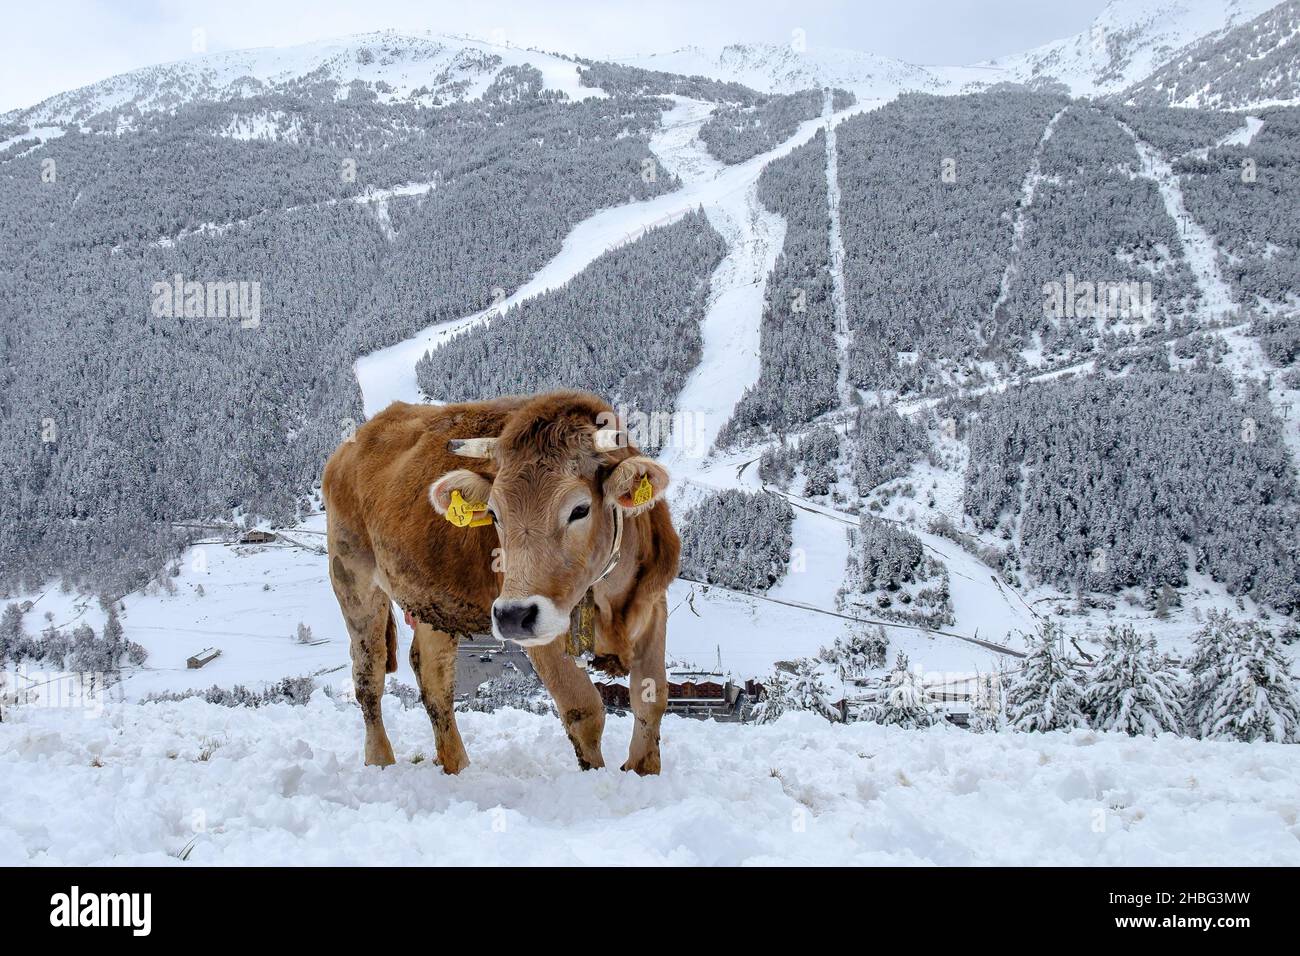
[369,615]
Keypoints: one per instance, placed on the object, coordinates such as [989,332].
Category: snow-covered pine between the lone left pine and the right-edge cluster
[1133,689]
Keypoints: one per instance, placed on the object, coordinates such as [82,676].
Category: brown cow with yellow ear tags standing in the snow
[574,511]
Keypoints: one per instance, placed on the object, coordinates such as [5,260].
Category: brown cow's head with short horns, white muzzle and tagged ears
[556,482]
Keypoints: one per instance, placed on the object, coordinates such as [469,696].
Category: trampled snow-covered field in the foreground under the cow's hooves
[287,785]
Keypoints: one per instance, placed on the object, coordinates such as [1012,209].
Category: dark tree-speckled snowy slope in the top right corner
[1256,64]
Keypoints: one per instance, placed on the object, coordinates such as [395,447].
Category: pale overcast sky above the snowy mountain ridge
[60,45]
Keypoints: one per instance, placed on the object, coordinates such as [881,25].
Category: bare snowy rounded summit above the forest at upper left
[432,70]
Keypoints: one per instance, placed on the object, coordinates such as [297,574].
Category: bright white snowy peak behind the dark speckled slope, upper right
[1128,41]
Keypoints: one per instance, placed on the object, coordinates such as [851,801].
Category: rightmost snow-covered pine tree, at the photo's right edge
[1242,687]
